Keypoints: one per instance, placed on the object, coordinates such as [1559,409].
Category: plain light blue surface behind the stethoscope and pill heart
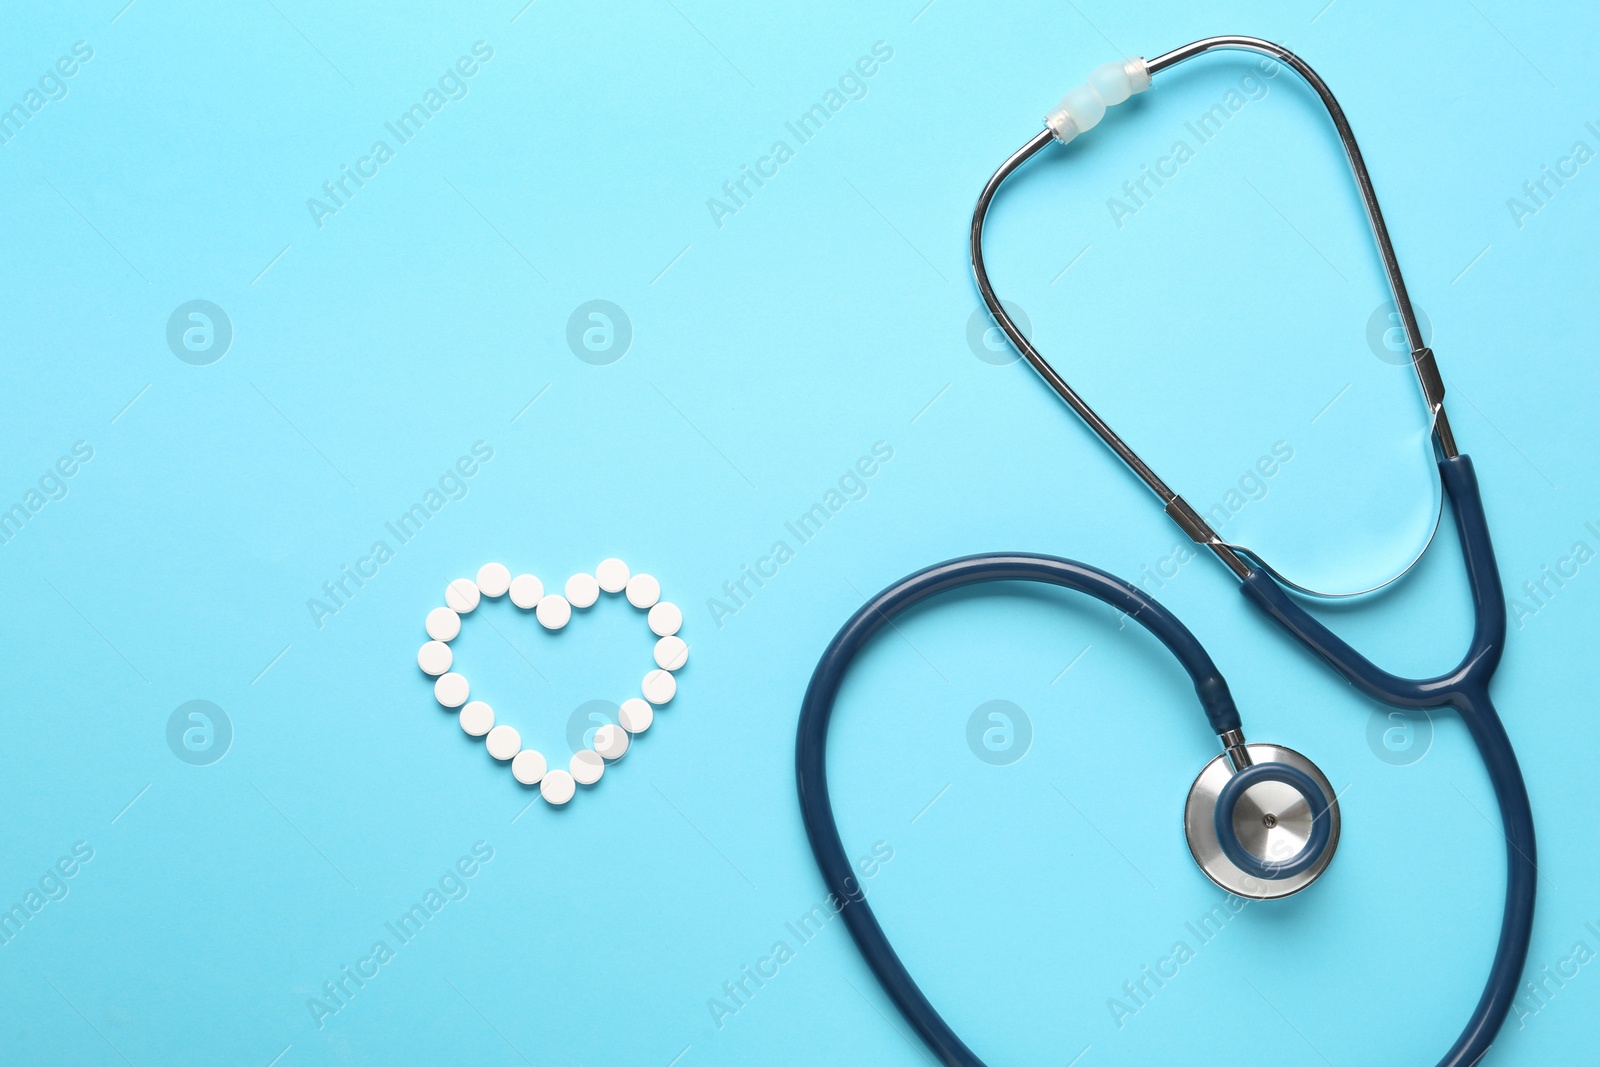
[770,353]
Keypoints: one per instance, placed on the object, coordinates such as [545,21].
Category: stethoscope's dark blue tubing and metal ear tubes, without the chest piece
[1465,690]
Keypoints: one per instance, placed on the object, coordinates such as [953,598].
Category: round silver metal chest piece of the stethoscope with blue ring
[1265,831]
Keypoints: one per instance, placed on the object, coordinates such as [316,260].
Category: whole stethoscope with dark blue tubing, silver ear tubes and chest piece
[1262,820]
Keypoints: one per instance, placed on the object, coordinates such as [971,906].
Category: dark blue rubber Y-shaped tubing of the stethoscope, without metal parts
[1465,690]
